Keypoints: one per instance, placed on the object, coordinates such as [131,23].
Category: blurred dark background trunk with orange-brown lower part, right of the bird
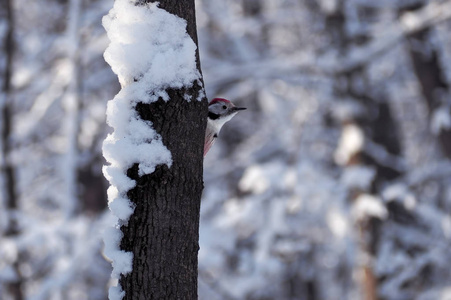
[378,130]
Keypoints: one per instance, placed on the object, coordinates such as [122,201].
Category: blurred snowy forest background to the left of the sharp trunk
[57,59]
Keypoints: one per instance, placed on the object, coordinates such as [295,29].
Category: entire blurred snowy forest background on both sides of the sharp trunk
[334,184]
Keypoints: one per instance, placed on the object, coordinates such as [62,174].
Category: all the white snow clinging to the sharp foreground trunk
[150,51]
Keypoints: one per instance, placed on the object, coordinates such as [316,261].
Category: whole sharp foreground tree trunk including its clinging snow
[155,151]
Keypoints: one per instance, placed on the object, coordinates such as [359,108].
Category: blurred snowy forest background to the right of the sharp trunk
[339,157]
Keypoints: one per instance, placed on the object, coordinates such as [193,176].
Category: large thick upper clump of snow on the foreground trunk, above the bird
[149,44]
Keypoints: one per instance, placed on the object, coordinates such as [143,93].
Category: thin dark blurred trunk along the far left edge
[14,288]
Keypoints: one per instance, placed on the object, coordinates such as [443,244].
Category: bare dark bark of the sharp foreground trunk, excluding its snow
[163,232]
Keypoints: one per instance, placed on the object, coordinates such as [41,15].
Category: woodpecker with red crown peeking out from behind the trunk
[220,111]
